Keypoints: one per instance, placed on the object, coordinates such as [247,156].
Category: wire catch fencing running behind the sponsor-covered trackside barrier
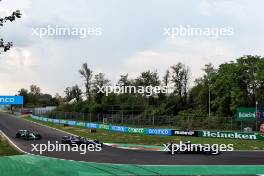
[191,122]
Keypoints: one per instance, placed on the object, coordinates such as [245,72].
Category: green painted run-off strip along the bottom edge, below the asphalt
[27,165]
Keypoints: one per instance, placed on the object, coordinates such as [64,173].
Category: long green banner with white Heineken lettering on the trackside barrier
[229,135]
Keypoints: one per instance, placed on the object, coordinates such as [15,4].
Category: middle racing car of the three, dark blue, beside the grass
[78,140]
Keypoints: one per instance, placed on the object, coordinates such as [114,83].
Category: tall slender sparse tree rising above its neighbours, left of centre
[87,75]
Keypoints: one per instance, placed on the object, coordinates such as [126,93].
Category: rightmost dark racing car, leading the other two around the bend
[192,148]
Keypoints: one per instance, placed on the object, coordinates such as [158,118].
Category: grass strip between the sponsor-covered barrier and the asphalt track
[128,138]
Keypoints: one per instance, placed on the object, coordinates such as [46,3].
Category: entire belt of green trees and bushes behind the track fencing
[234,84]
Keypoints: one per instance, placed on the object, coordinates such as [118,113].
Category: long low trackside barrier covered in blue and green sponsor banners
[156,131]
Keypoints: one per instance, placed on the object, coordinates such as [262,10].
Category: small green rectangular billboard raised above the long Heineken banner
[246,114]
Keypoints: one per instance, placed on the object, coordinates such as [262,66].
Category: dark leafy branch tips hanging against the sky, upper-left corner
[6,46]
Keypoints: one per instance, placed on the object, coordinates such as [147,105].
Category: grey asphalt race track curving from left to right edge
[10,124]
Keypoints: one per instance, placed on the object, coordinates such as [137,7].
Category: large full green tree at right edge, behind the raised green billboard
[238,84]
